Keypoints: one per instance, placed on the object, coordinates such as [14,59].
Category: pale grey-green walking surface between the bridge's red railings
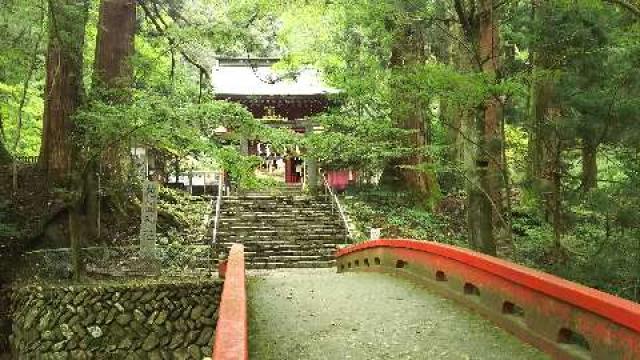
[318,314]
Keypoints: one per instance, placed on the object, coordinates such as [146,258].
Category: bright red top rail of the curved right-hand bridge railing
[615,309]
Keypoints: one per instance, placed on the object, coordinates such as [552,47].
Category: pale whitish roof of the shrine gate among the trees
[236,77]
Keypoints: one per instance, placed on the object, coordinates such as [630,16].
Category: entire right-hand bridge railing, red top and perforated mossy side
[562,318]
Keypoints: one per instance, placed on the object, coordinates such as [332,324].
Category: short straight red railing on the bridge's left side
[232,332]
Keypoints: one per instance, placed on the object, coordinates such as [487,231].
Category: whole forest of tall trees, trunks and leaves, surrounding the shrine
[523,114]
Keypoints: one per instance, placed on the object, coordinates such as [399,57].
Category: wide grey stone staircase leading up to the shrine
[281,231]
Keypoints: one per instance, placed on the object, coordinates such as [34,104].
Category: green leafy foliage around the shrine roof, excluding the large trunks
[586,50]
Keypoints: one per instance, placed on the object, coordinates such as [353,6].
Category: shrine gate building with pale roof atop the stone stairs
[278,100]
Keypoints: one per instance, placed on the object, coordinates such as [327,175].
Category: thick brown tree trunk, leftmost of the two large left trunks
[64,86]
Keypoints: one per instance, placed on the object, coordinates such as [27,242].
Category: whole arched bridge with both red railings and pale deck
[382,305]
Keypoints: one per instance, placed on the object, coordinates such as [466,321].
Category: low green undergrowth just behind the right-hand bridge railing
[605,257]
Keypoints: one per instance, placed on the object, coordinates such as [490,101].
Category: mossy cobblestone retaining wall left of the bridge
[160,320]
